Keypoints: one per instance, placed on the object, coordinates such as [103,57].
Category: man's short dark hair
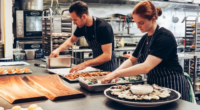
[79,7]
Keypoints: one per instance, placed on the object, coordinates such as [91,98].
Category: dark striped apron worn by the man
[97,51]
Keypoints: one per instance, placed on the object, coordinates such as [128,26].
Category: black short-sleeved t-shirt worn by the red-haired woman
[163,46]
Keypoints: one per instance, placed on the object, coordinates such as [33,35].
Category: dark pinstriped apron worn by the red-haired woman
[165,77]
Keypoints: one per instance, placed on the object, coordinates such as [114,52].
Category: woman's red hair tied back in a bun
[146,9]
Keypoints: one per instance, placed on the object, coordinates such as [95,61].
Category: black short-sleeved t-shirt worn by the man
[104,32]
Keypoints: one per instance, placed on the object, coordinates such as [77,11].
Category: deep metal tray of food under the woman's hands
[93,84]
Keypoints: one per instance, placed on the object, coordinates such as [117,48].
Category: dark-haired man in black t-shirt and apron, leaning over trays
[98,34]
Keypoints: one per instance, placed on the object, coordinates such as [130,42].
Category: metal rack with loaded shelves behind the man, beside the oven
[56,29]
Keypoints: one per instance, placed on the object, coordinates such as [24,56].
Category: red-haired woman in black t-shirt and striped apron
[156,53]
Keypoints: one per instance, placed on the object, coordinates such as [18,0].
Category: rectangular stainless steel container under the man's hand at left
[62,61]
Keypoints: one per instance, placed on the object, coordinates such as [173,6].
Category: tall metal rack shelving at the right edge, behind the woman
[192,37]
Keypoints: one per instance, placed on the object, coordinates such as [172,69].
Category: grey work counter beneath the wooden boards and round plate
[93,101]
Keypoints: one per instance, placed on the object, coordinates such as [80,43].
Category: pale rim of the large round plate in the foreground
[141,104]
